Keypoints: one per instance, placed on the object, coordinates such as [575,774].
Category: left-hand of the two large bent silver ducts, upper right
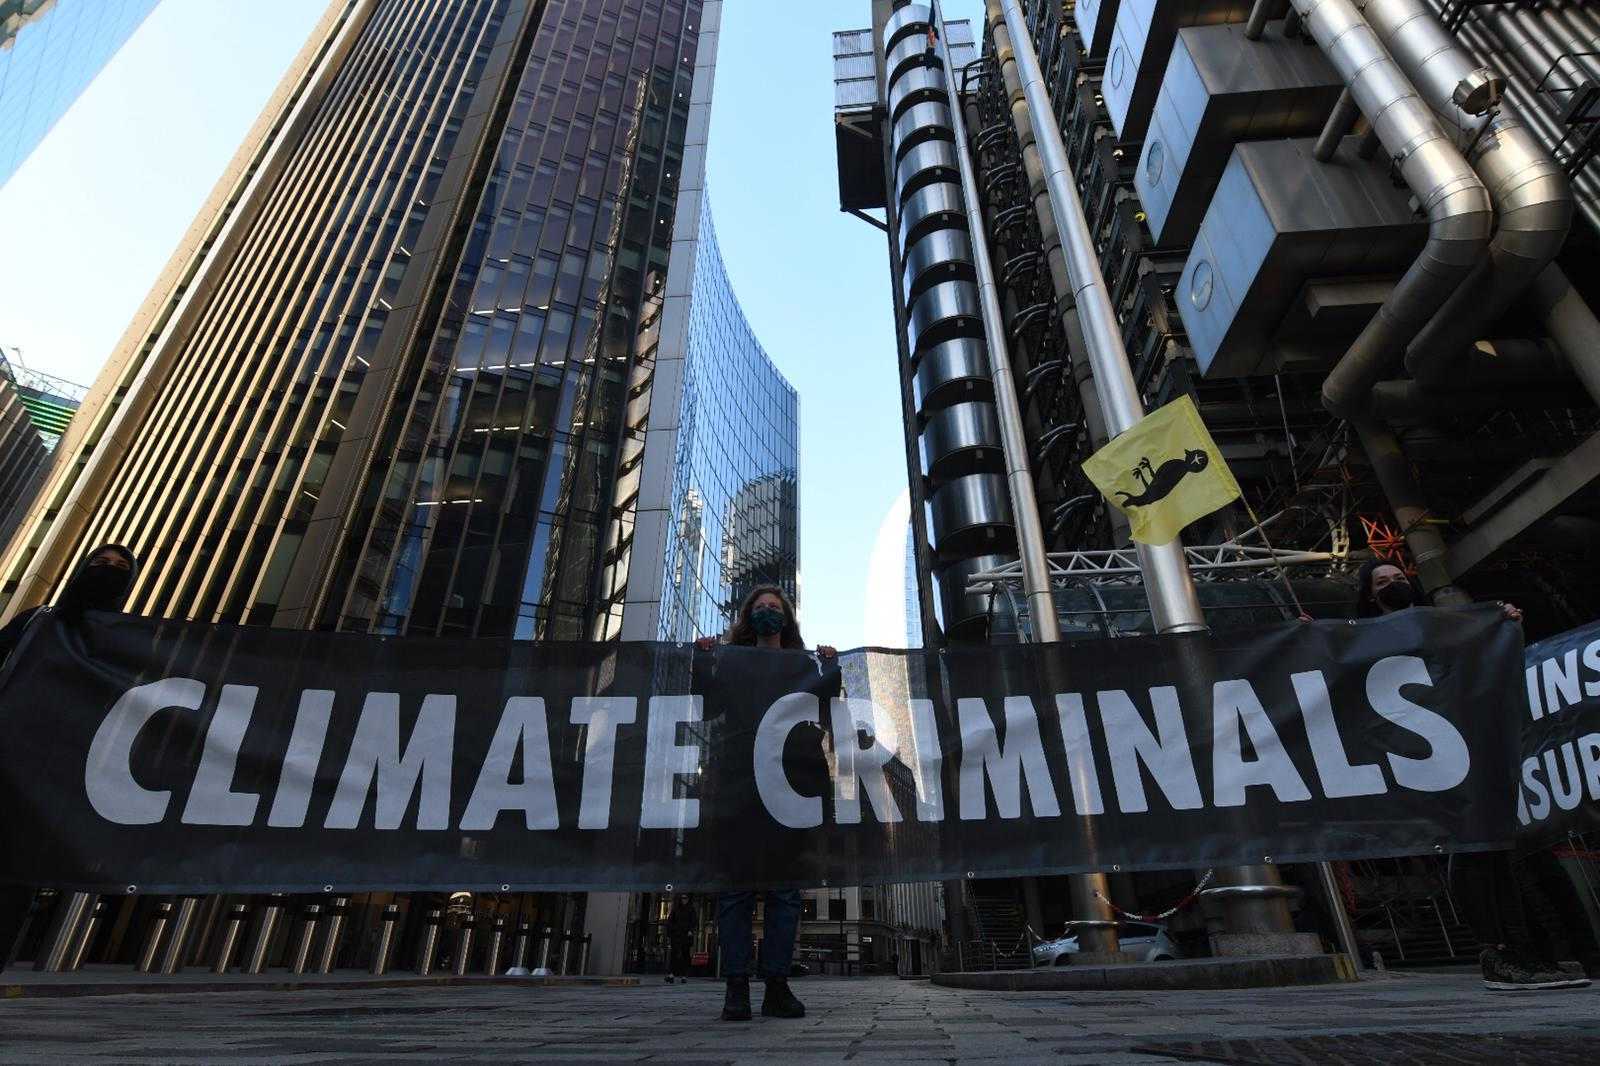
[1452,196]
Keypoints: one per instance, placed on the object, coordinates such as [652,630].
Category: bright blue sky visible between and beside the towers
[90,220]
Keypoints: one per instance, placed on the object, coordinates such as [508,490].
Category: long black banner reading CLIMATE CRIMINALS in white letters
[158,756]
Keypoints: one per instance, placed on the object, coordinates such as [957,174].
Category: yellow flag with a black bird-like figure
[1164,473]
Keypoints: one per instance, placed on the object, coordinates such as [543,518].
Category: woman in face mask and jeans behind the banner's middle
[766,620]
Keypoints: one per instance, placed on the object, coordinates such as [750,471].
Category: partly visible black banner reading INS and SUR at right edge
[1561,739]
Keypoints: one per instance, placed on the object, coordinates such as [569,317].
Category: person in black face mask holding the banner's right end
[1482,881]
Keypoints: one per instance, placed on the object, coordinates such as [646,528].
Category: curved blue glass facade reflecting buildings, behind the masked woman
[735,495]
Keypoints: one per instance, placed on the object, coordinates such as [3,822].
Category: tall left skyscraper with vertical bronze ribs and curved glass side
[450,350]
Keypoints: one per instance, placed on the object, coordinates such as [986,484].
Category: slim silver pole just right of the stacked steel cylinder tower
[1090,892]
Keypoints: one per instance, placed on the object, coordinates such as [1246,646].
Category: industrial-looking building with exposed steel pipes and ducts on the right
[1361,234]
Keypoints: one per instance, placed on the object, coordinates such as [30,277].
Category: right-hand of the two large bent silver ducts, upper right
[1532,199]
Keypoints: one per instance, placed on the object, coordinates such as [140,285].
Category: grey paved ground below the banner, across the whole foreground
[1407,1020]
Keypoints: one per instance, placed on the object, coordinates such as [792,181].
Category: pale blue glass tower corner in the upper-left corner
[50,50]
